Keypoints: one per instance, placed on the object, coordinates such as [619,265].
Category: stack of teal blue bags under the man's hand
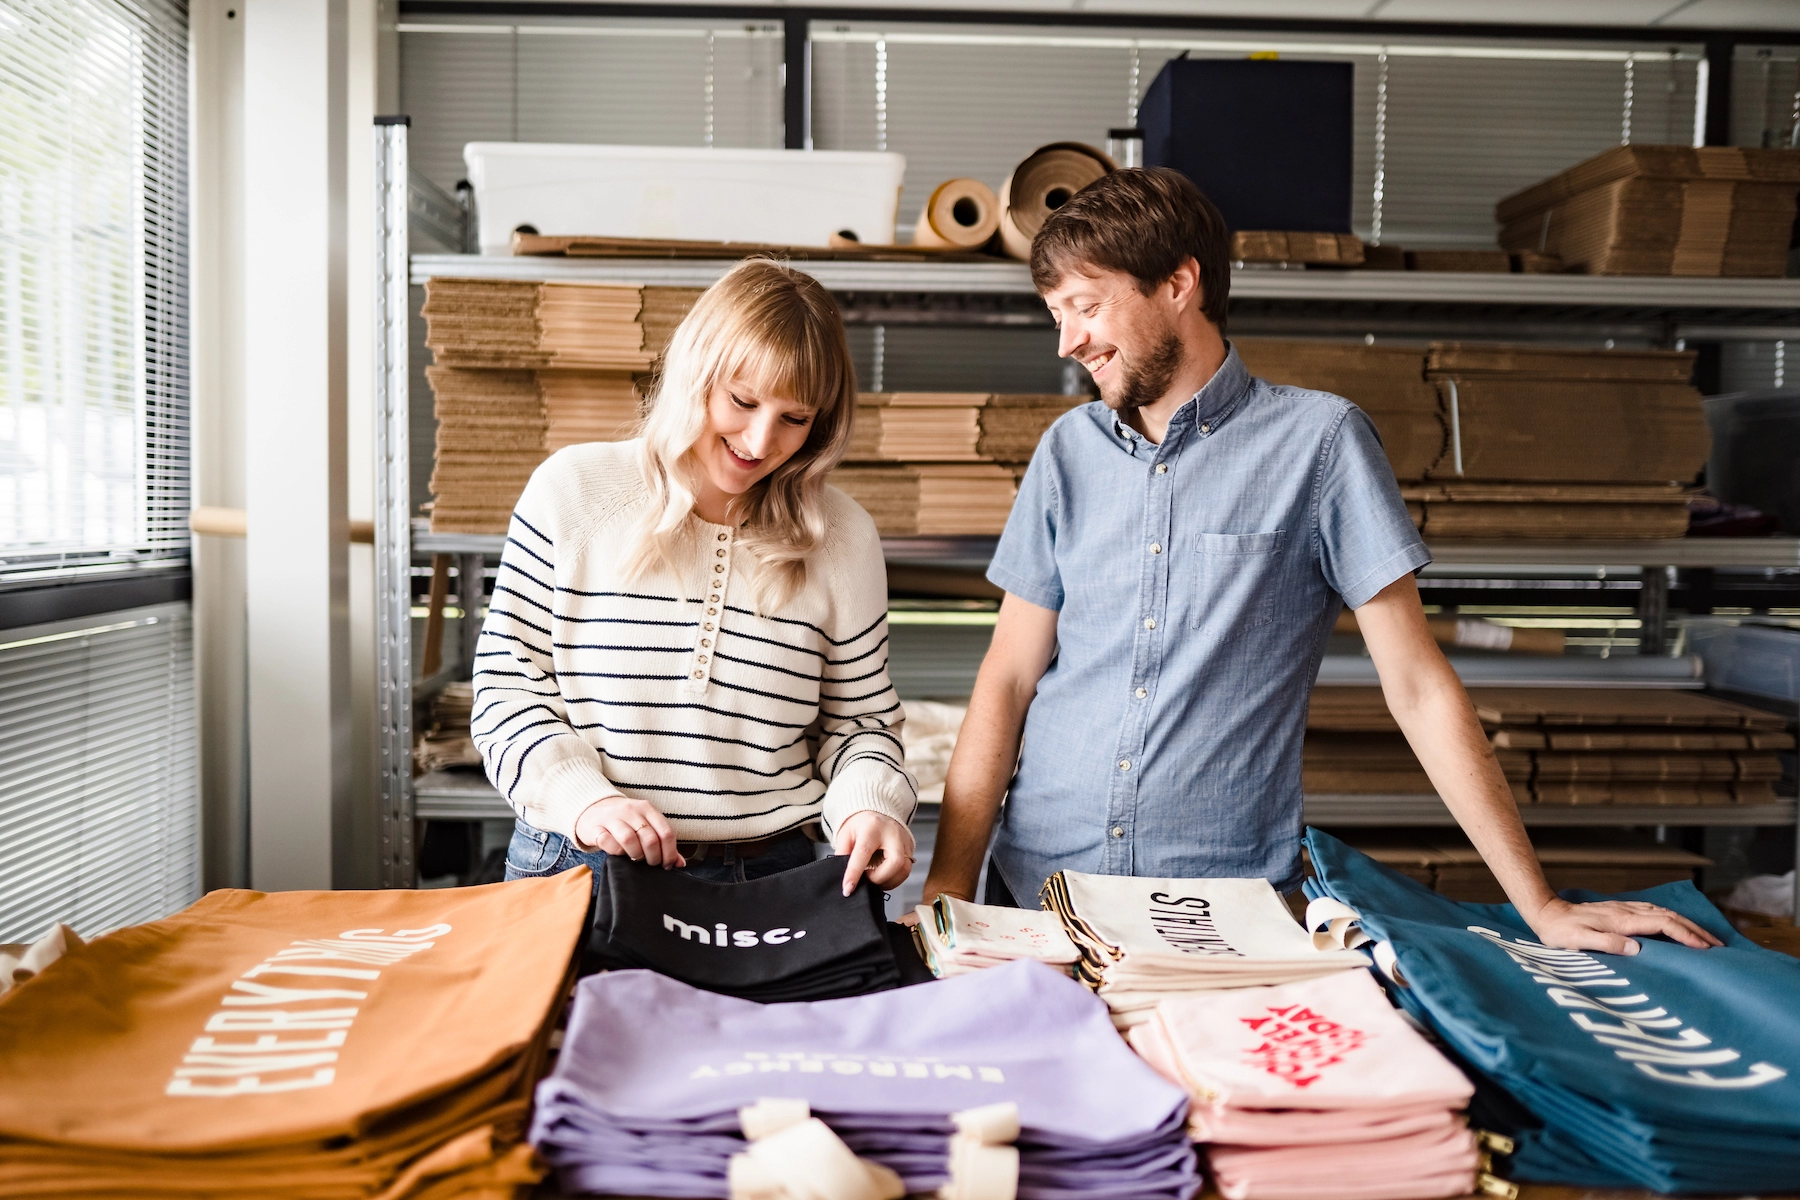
[1671,1070]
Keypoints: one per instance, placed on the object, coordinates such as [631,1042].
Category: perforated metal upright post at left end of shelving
[393,506]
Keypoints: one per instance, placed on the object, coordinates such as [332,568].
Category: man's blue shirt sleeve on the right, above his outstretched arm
[1367,539]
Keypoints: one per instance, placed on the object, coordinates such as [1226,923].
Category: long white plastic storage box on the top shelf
[786,197]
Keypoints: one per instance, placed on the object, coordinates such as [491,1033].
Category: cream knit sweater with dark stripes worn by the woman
[737,726]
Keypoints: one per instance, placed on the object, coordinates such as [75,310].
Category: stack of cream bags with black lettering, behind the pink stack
[1144,940]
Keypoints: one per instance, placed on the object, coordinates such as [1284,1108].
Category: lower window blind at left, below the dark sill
[100,798]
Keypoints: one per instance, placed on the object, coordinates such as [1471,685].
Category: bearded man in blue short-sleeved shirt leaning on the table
[1173,569]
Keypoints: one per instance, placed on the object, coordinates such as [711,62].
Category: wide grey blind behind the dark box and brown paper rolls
[1443,129]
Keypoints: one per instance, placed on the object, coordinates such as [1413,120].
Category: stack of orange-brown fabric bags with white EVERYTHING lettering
[296,1044]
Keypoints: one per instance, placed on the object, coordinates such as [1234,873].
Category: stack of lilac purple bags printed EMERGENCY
[652,1077]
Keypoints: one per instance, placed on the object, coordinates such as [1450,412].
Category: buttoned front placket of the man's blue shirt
[1147,647]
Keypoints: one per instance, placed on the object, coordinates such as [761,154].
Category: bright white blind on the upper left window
[93,285]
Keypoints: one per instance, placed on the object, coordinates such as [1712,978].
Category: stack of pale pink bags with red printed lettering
[1315,1091]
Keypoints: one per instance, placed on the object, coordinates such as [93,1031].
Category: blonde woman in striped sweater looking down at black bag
[687,652]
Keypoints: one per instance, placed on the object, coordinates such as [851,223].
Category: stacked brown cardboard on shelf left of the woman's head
[525,370]
